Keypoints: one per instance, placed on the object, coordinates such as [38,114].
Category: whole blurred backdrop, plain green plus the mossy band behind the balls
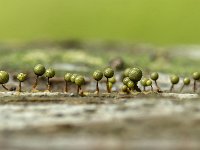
[153,34]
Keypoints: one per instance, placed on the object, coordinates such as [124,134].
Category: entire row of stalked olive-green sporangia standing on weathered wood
[131,77]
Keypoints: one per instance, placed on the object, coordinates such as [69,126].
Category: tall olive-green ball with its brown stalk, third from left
[39,70]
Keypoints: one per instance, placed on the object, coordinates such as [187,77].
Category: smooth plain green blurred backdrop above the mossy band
[161,22]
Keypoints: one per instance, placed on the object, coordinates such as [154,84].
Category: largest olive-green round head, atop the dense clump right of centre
[135,74]
